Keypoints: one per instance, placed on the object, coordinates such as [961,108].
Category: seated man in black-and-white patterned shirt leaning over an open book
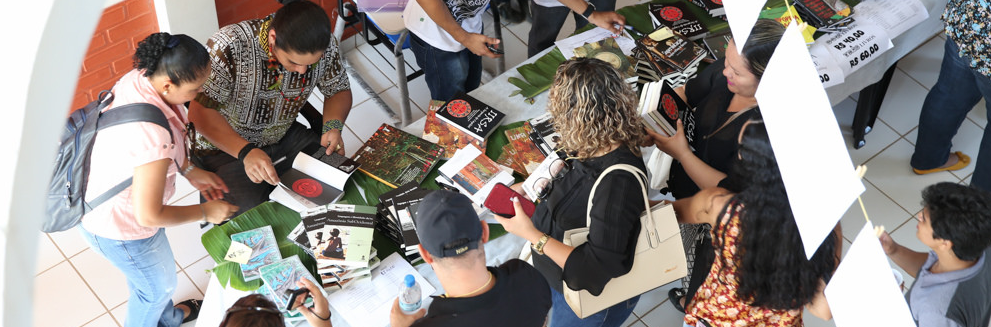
[262,72]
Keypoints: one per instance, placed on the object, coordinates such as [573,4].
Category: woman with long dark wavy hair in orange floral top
[760,276]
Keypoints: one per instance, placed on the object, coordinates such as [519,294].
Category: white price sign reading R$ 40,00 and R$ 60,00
[858,45]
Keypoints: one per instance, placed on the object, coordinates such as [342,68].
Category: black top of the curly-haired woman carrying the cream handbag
[616,210]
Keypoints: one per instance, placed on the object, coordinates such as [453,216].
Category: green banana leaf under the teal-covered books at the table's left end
[218,239]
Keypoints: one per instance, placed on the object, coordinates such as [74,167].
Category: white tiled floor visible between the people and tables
[87,290]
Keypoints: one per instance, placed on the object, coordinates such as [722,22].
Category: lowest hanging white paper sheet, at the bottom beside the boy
[863,291]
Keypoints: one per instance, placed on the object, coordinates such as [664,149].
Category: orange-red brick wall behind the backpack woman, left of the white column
[108,58]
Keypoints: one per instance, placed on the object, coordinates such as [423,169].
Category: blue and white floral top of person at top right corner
[968,24]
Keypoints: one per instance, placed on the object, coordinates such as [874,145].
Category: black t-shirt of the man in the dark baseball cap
[520,297]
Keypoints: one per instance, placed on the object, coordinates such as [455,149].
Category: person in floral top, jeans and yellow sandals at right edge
[964,78]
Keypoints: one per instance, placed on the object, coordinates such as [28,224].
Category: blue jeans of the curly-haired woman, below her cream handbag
[614,316]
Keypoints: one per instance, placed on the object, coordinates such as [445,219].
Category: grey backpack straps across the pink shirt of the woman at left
[129,113]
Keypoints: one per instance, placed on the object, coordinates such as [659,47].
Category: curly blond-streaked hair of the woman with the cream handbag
[593,108]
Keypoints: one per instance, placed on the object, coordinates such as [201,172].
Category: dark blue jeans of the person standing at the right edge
[958,89]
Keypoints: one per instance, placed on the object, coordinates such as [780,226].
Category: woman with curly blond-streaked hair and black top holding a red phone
[595,112]
